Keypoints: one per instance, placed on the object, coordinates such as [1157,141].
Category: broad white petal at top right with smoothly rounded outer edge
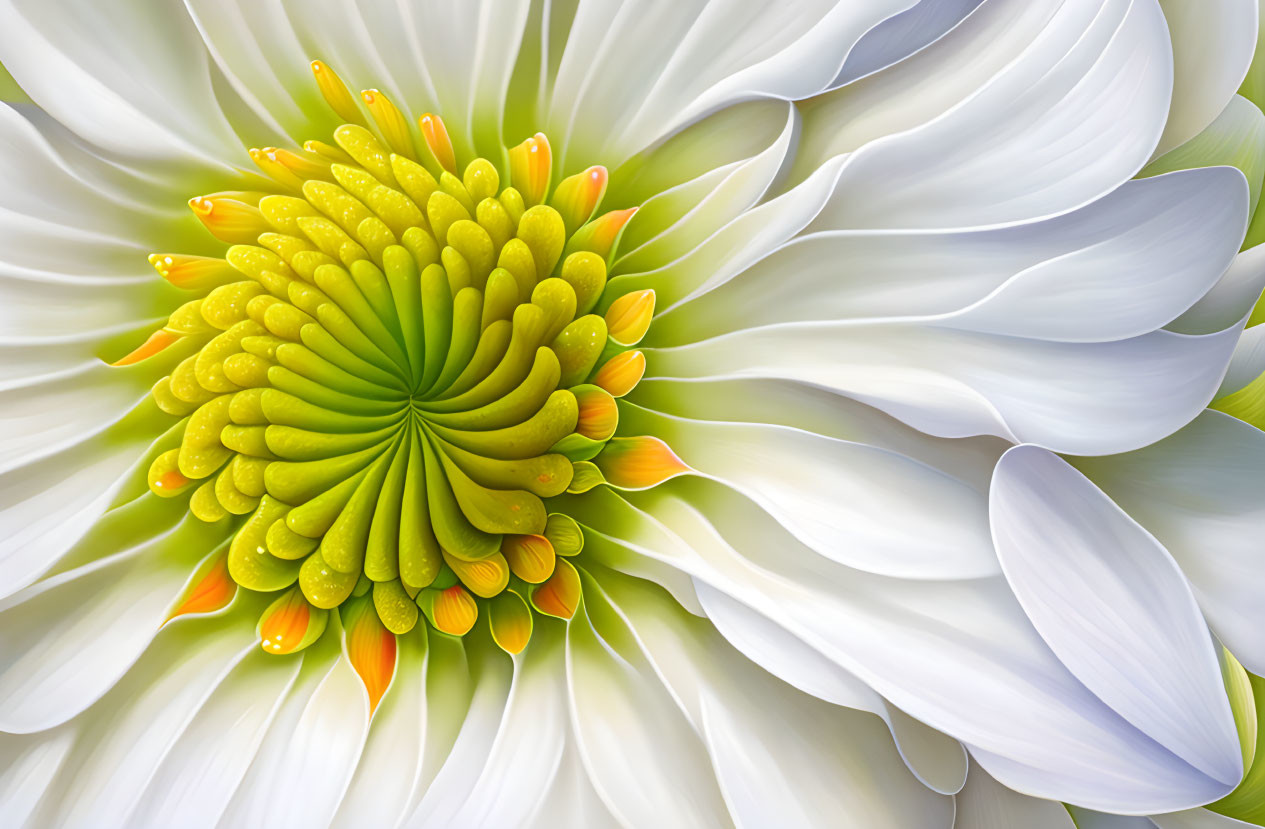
[1075,117]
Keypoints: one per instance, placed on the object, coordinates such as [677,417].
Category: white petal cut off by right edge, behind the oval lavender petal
[1199,492]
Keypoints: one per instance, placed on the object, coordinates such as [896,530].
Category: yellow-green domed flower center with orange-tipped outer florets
[397,368]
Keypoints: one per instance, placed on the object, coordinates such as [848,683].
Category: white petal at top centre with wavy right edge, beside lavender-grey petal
[632,75]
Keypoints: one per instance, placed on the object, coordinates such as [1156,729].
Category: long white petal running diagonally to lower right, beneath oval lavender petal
[957,655]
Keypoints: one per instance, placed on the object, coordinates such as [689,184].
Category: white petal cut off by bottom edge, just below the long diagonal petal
[781,759]
